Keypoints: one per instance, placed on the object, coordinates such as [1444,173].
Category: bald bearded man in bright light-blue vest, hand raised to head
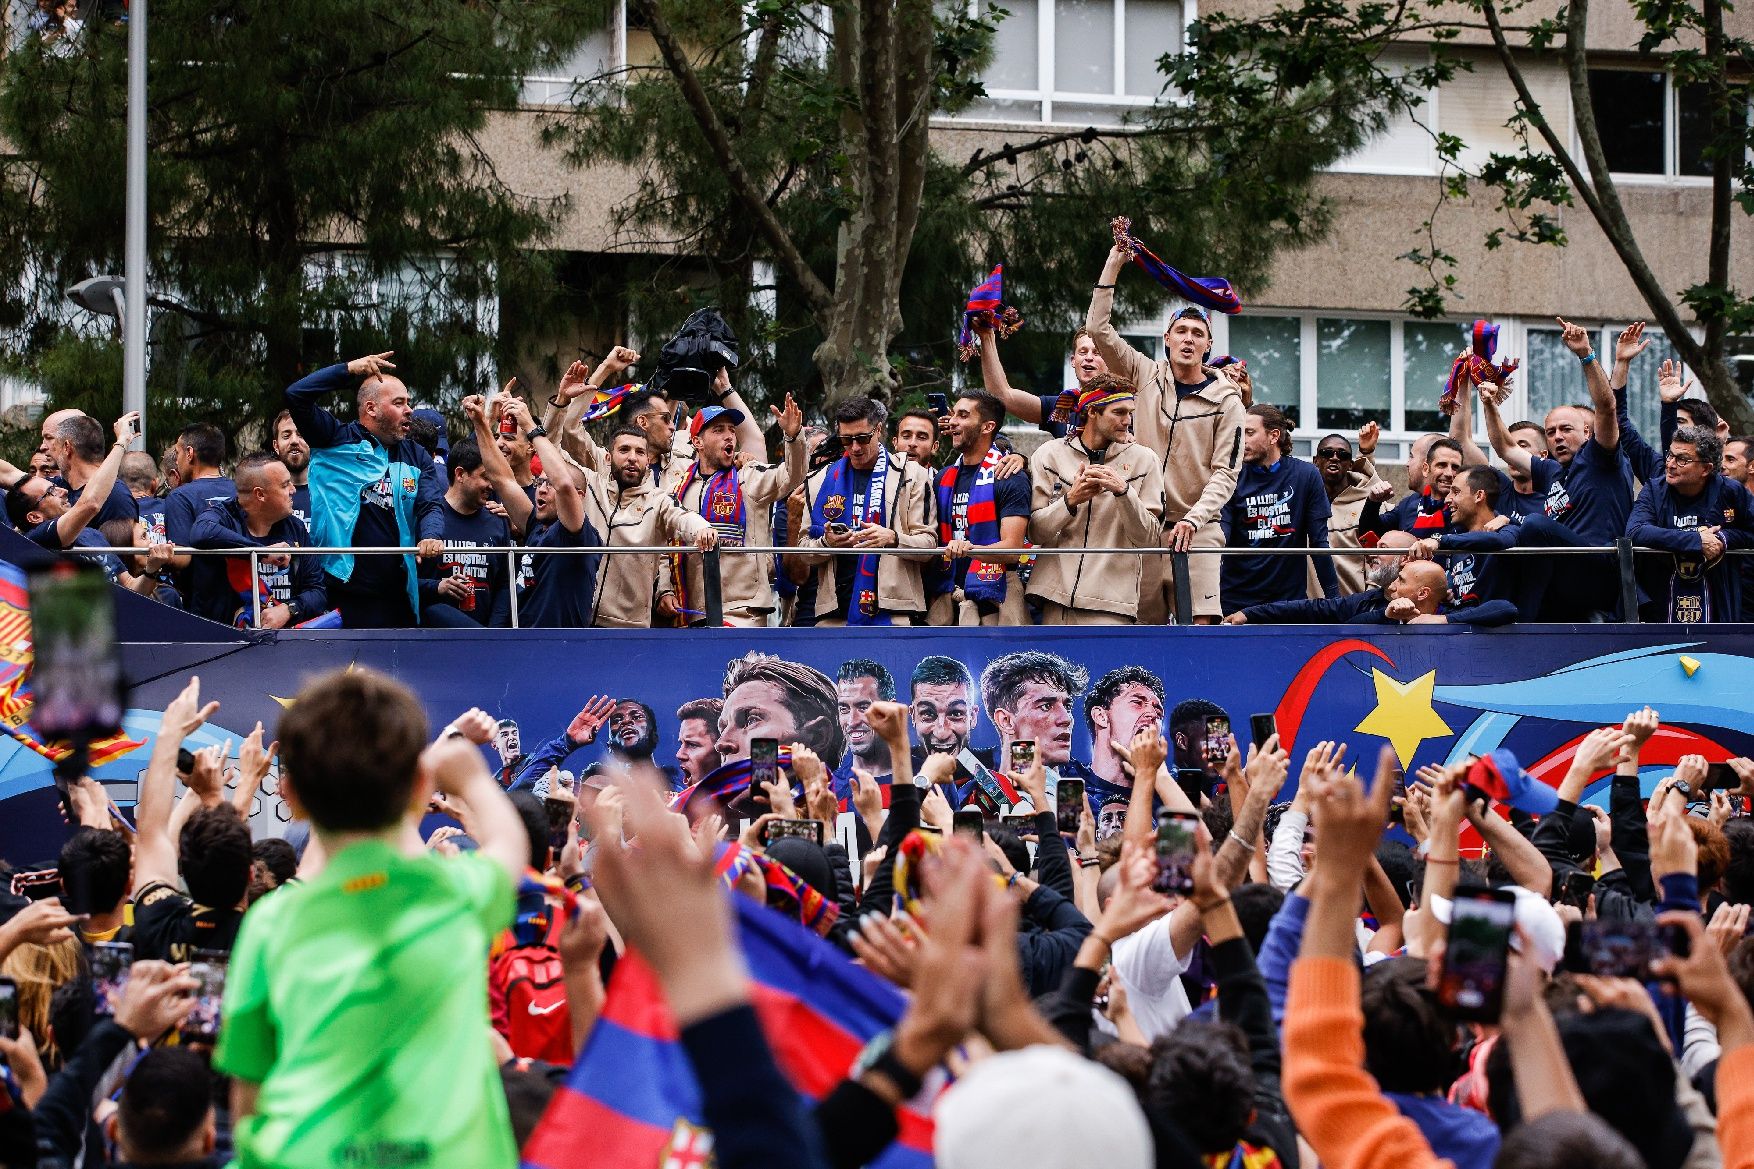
[371,487]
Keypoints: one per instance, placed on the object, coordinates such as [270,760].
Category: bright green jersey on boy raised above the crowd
[359,1001]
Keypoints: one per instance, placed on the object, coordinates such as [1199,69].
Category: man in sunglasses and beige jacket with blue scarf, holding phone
[867,499]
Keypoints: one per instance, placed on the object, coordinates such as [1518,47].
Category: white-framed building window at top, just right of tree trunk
[1076,62]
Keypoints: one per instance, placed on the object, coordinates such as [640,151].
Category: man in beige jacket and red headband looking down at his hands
[1094,489]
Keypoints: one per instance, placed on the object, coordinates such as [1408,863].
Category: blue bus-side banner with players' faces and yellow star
[1436,694]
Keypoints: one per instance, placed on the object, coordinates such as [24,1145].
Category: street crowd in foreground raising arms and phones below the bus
[1462,968]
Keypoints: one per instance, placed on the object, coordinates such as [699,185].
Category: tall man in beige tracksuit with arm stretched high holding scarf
[1192,417]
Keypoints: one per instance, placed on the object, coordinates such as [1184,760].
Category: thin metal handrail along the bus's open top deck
[1623,550]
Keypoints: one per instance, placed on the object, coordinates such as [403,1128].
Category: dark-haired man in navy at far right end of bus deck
[1695,515]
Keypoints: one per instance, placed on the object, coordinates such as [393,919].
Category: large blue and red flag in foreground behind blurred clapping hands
[632,1098]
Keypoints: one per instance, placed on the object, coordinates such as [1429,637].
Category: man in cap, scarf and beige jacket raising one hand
[739,505]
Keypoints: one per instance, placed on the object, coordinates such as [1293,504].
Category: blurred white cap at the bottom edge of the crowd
[1045,1108]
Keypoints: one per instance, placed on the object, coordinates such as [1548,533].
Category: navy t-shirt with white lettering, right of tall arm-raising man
[1280,506]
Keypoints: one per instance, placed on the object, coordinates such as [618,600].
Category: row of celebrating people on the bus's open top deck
[1176,454]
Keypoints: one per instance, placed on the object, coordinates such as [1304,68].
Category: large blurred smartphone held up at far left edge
[78,671]
